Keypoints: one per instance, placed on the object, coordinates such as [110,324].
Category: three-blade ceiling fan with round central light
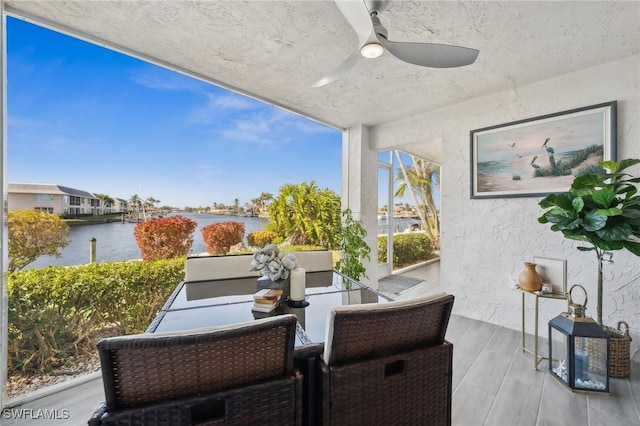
[373,42]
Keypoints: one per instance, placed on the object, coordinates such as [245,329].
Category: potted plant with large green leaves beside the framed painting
[601,210]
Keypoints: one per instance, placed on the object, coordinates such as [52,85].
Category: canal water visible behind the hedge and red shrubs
[115,241]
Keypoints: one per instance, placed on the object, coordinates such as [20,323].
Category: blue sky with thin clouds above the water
[89,118]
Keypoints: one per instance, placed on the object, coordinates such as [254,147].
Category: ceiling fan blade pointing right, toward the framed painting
[431,54]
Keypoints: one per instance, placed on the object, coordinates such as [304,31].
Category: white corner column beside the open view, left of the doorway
[360,189]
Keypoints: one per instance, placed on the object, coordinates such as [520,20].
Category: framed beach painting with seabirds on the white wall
[541,155]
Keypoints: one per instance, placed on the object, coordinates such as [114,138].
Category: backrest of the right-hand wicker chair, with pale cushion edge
[378,329]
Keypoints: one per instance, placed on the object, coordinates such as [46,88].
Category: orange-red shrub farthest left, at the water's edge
[165,238]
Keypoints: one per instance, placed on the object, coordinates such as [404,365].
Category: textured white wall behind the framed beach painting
[486,241]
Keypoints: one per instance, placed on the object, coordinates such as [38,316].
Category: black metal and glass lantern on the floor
[579,349]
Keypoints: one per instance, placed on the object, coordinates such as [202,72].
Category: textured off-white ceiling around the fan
[276,50]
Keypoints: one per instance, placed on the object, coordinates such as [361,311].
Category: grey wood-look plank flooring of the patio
[494,383]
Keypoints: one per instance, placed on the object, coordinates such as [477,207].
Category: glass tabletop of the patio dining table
[221,302]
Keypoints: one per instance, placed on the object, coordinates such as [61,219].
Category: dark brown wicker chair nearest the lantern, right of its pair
[388,364]
